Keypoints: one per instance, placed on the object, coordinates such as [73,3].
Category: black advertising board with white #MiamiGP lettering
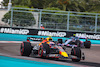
[44,32]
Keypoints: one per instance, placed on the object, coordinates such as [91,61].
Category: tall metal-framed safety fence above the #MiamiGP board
[53,19]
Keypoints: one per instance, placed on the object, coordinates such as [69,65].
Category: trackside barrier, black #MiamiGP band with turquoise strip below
[21,34]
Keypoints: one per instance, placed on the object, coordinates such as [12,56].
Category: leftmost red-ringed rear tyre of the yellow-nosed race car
[25,49]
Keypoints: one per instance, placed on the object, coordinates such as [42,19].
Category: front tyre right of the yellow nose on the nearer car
[76,52]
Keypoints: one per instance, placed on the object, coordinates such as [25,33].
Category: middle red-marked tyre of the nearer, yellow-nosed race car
[44,50]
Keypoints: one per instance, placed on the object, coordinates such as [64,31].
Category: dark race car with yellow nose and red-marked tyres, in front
[47,48]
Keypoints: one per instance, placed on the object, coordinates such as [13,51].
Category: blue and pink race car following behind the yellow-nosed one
[74,41]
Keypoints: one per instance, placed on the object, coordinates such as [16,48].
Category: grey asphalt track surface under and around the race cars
[92,56]
